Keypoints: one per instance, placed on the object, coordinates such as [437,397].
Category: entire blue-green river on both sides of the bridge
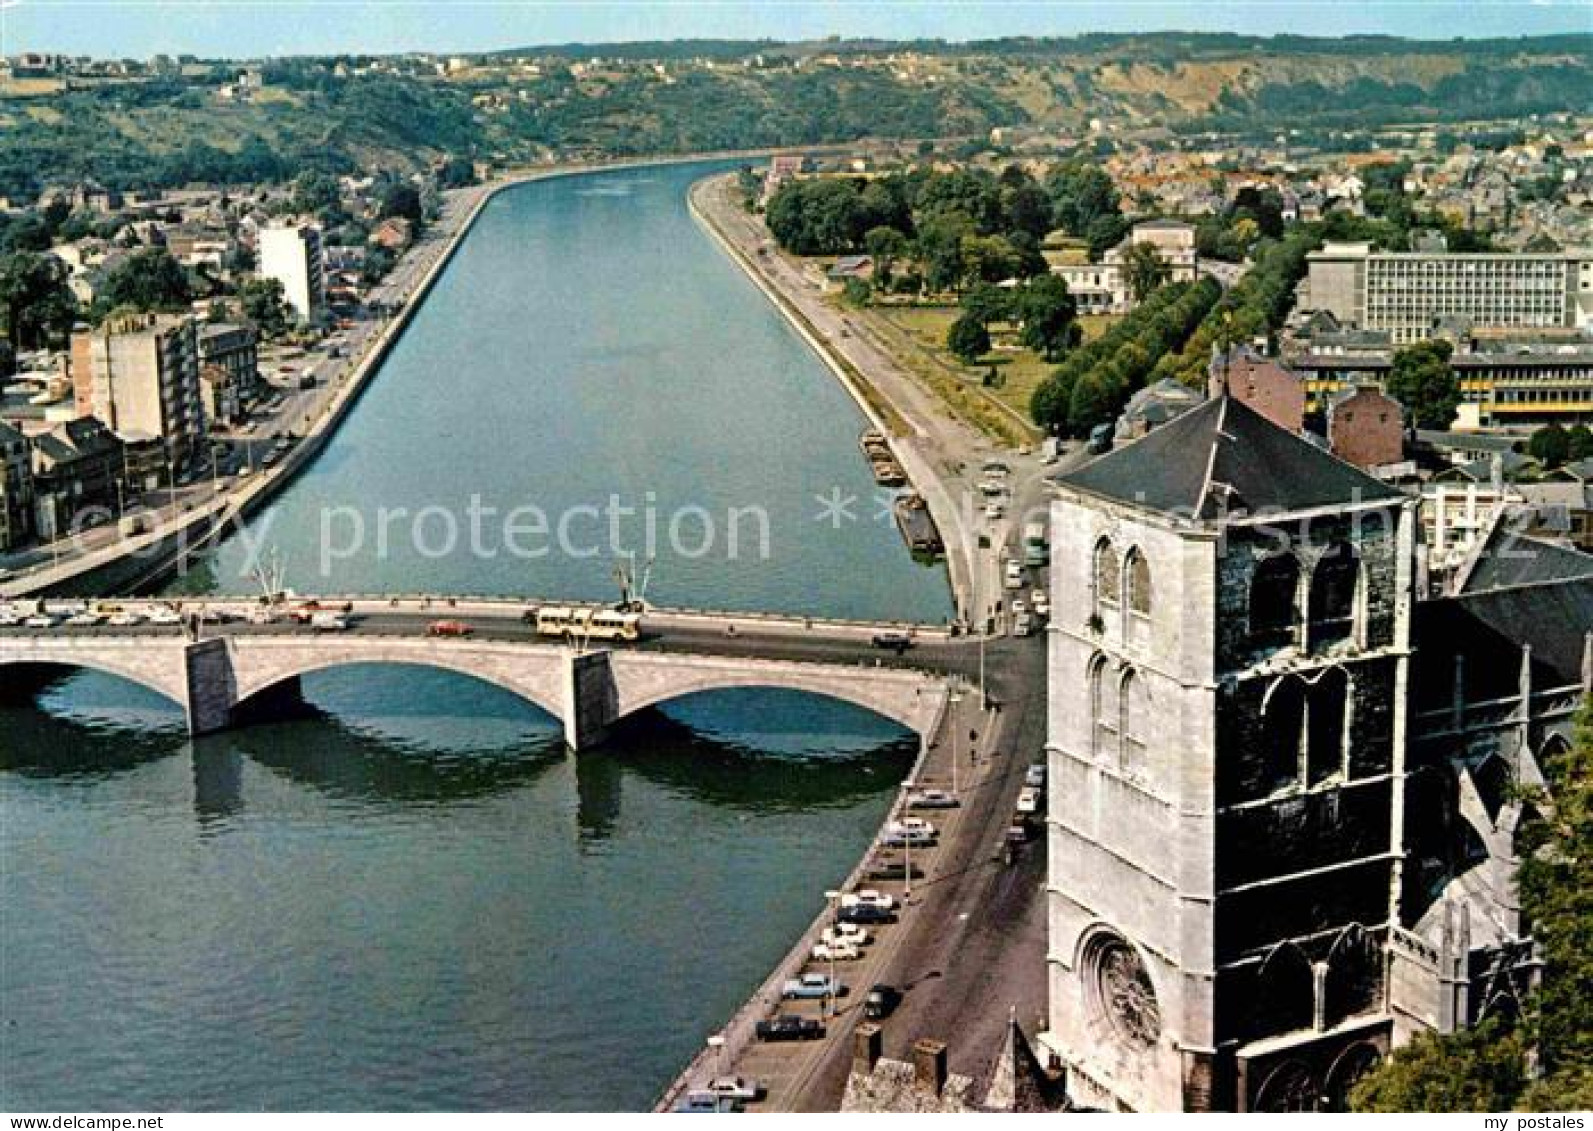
[409,896]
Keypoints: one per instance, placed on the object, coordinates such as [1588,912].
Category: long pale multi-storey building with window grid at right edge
[1407,294]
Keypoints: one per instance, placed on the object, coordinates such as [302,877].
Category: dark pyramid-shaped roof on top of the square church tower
[1226,460]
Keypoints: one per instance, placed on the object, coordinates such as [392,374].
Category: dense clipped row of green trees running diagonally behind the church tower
[1092,386]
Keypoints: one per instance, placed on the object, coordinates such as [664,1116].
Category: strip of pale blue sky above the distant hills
[254,28]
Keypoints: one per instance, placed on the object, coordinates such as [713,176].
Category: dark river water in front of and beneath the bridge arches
[410,898]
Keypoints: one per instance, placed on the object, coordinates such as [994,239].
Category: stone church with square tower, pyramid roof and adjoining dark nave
[1282,820]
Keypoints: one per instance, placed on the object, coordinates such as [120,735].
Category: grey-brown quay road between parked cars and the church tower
[968,950]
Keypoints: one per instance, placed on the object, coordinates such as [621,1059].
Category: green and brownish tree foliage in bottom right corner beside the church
[1485,1070]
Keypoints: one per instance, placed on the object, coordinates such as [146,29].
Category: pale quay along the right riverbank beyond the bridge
[942,456]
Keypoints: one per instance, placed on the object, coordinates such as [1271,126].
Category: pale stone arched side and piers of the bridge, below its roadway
[589,692]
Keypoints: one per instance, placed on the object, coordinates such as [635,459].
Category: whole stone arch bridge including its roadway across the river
[227,665]
